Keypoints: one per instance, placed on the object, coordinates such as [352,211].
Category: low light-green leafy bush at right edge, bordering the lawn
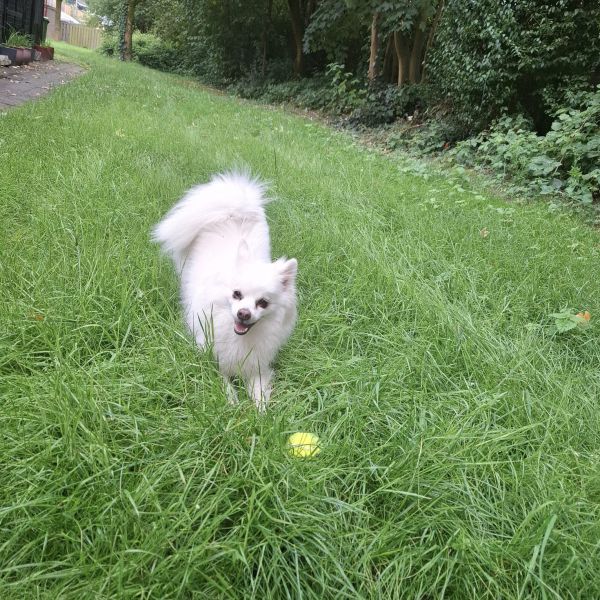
[566,160]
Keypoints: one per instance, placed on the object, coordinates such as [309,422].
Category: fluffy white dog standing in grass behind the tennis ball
[233,296]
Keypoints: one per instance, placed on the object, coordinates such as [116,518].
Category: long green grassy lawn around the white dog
[461,437]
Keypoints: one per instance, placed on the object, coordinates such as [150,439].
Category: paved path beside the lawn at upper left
[28,82]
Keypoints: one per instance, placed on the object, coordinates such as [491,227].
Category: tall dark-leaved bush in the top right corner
[493,58]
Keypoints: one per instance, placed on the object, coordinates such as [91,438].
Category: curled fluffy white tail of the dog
[228,195]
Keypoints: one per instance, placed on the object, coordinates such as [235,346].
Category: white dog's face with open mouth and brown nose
[260,290]
